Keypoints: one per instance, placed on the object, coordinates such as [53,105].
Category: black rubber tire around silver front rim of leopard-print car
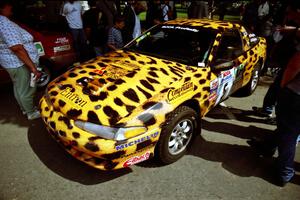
[176,119]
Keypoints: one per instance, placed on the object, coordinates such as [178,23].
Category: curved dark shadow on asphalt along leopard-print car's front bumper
[63,164]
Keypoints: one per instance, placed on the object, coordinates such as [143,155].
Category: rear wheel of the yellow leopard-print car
[251,86]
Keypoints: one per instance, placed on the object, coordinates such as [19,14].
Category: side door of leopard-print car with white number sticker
[226,64]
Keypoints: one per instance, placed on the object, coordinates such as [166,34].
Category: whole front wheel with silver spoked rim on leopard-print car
[176,134]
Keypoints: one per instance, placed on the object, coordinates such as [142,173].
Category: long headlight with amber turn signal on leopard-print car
[111,133]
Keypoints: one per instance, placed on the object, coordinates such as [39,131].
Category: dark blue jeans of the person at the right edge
[288,127]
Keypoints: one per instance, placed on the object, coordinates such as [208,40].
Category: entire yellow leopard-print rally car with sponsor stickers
[147,99]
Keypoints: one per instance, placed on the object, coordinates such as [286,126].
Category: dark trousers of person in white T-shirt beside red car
[80,43]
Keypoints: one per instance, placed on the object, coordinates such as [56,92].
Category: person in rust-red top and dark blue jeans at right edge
[288,119]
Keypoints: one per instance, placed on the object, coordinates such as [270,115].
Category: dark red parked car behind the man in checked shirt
[56,54]
